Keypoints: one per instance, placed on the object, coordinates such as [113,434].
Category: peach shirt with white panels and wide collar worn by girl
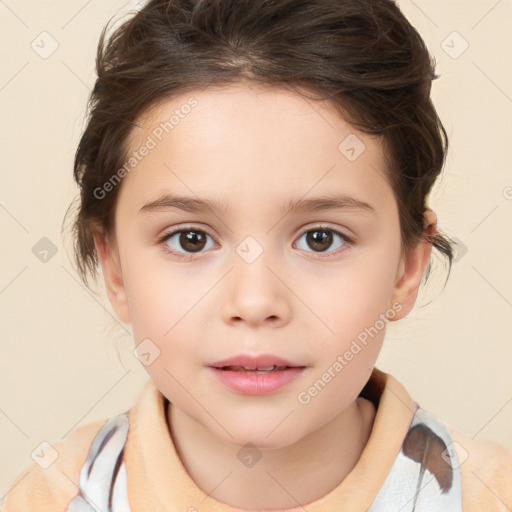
[137,454]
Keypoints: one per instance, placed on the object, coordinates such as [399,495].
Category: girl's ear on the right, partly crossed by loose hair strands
[411,268]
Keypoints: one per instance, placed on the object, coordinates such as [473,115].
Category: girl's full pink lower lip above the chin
[252,383]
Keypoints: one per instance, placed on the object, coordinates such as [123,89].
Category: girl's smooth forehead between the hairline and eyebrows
[252,143]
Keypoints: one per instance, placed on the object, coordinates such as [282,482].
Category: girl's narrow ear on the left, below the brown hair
[112,272]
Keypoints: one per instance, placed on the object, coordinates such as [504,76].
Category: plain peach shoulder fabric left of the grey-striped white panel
[50,482]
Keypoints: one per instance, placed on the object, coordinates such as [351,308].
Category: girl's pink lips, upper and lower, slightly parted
[252,383]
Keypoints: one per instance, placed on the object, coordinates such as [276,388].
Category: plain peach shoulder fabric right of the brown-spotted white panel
[486,472]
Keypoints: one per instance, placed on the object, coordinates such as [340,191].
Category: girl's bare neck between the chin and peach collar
[288,477]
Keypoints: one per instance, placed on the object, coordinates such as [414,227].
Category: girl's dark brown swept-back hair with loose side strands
[362,56]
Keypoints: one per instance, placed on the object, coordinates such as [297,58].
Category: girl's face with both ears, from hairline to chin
[311,285]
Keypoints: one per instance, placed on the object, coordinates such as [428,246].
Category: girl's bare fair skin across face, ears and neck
[256,148]
